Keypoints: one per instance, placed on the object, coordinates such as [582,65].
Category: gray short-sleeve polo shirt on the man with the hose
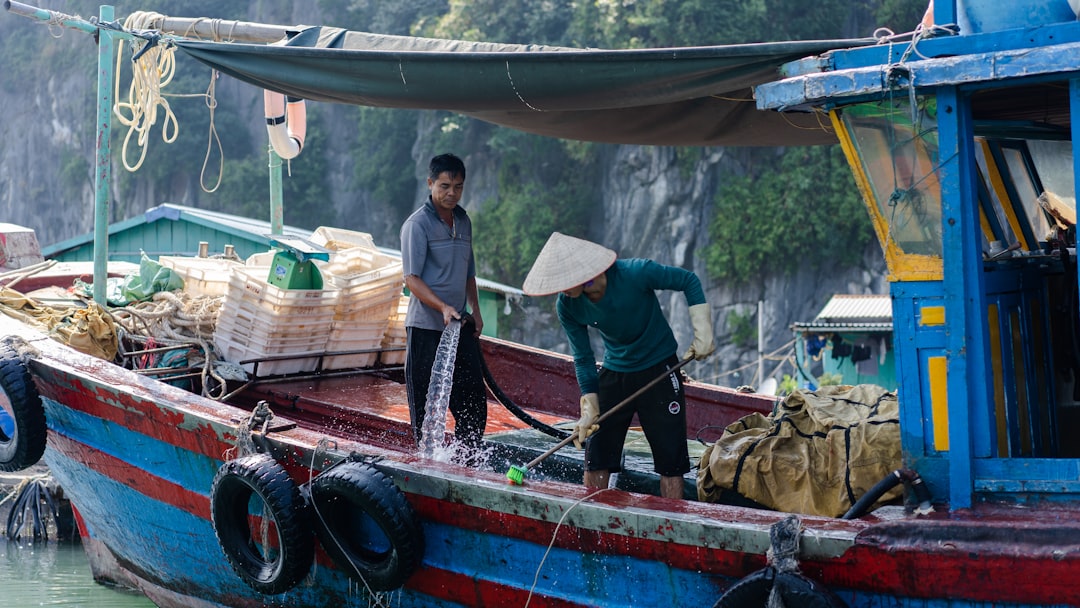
[441,258]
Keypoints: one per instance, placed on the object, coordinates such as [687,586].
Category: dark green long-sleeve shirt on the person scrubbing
[637,336]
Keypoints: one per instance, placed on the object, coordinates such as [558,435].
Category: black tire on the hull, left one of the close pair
[287,557]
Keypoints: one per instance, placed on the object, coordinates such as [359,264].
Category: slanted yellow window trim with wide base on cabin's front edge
[902,266]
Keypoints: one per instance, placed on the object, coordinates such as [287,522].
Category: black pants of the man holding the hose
[468,395]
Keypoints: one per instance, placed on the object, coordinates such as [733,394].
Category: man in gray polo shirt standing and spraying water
[441,276]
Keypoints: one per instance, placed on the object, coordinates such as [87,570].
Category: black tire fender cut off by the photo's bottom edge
[795,589]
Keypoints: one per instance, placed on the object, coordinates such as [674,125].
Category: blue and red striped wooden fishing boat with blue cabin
[940,132]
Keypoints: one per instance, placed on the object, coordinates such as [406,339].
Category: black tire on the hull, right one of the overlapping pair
[367,525]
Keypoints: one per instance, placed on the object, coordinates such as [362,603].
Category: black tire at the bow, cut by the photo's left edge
[23,429]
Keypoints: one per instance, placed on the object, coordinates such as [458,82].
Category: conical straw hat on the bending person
[564,264]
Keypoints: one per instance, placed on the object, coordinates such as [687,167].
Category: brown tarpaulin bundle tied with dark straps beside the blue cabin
[818,454]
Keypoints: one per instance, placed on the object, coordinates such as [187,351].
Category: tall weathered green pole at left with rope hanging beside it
[103,175]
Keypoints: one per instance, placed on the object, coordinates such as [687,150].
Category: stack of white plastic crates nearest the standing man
[370,287]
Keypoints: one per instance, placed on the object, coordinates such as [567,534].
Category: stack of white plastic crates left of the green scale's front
[260,320]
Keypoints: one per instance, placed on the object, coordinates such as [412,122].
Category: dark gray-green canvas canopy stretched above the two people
[684,97]
